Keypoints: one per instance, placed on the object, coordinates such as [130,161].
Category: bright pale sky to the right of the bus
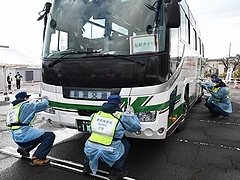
[219,23]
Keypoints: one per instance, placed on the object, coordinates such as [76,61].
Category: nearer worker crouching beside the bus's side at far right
[219,103]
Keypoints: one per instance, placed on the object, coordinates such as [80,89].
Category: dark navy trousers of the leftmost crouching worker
[46,141]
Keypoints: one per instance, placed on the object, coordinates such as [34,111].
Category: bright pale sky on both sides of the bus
[219,22]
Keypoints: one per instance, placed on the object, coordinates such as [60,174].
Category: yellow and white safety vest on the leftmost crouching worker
[13,117]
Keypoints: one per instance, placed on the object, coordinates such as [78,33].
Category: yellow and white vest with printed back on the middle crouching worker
[103,126]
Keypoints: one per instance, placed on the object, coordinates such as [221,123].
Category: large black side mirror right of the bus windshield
[173,14]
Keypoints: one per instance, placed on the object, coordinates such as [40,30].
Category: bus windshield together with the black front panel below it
[105,44]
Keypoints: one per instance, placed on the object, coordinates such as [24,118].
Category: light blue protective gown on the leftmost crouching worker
[27,112]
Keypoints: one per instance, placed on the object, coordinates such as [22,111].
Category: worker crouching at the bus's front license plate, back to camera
[106,142]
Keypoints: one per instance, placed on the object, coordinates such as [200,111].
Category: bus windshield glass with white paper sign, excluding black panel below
[122,27]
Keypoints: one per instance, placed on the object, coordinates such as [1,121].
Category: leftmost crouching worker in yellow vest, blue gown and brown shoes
[20,119]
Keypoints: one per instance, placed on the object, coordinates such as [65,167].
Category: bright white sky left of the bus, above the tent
[20,28]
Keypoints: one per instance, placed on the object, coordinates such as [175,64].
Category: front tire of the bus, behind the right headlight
[184,119]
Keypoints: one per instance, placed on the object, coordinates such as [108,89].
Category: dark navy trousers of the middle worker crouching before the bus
[120,162]
